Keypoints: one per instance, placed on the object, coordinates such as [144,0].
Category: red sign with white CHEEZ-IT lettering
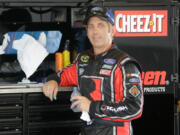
[131,23]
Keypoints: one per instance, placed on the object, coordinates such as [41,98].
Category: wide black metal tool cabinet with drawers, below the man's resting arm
[31,113]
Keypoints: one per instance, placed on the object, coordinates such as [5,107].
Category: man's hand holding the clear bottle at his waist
[83,103]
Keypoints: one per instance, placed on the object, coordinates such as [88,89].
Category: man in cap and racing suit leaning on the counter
[109,79]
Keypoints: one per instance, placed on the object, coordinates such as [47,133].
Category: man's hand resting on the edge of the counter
[50,88]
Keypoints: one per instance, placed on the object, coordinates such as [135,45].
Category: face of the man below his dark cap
[99,32]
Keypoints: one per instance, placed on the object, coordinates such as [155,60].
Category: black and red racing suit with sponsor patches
[112,81]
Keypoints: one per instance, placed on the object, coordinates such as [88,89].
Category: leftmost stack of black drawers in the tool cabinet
[11,114]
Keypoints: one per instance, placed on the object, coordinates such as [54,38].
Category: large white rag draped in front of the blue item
[30,53]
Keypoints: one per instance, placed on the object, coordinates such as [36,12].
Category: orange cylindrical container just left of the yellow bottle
[59,61]
